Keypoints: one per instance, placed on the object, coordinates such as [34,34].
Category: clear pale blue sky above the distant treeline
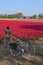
[27,7]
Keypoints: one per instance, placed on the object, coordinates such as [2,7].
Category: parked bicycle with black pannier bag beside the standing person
[18,49]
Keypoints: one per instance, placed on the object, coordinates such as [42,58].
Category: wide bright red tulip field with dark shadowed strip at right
[22,28]
